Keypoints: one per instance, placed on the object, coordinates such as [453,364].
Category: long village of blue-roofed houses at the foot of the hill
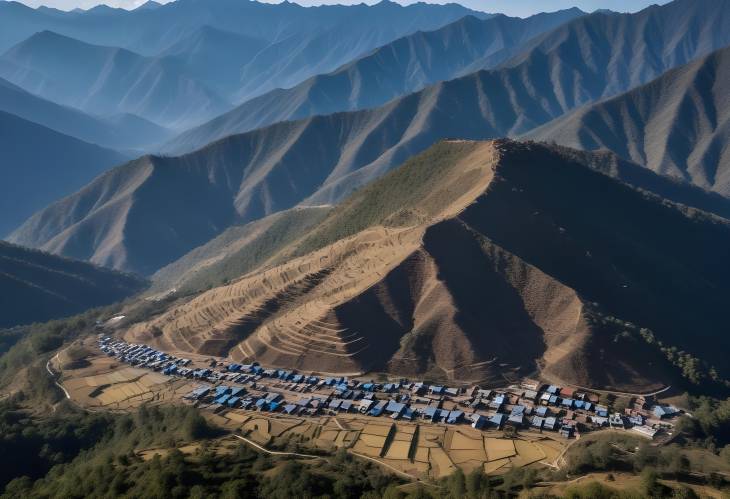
[250,387]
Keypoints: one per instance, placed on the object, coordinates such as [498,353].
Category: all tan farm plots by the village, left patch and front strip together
[423,450]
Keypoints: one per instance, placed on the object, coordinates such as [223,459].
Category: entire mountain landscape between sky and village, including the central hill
[341,189]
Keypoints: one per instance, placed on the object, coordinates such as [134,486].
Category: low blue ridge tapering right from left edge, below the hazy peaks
[121,132]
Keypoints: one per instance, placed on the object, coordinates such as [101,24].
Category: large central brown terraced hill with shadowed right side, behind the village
[477,261]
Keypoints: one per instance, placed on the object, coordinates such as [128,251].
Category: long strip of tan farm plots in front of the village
[420,450]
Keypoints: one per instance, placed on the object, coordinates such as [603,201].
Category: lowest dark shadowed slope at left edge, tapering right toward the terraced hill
[36,286]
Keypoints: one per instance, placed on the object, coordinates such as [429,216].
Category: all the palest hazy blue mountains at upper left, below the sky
[210,56]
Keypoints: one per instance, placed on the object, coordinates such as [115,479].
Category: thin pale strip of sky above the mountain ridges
[511,7]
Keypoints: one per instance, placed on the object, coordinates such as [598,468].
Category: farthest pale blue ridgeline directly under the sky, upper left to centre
[151,31]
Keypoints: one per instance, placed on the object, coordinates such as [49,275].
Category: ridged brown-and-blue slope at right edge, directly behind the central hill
[679,124]
